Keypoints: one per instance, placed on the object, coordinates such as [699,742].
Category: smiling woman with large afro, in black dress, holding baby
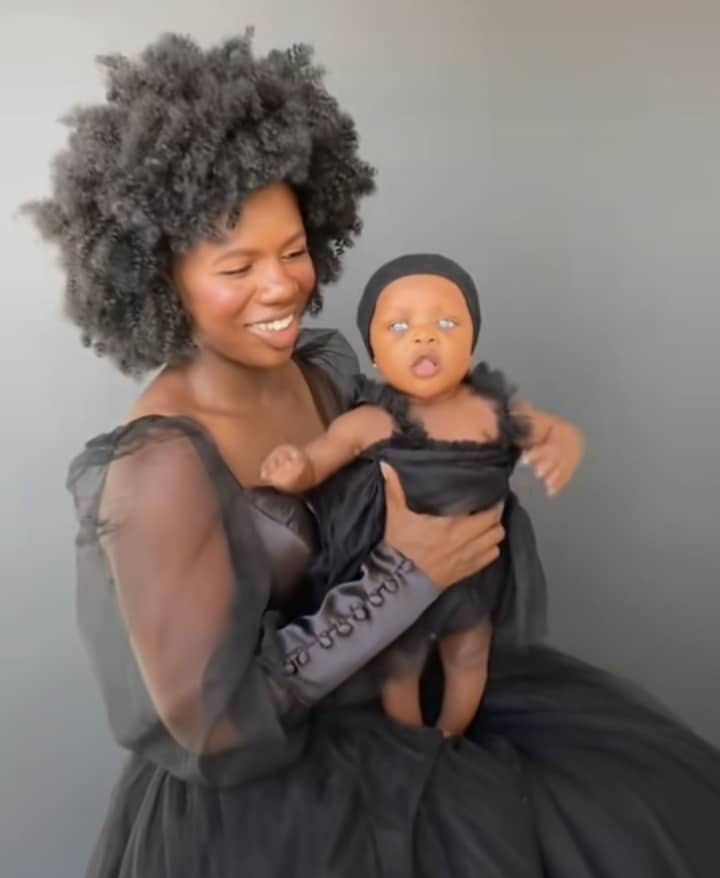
[197,210]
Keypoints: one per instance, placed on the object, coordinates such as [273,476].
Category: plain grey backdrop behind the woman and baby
[567,152]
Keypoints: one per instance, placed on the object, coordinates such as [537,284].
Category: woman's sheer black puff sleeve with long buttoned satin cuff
[174,588]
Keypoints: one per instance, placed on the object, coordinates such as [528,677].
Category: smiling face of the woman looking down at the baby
[246,294]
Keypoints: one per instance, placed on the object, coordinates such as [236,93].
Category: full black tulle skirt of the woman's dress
[566,772]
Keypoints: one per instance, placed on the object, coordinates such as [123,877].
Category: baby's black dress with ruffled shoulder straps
[439,478]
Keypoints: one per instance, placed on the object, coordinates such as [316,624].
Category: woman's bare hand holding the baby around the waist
[447,549]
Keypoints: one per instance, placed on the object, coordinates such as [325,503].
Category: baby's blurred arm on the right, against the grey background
[553,447]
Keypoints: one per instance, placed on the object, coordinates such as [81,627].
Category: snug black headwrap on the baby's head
[416,263]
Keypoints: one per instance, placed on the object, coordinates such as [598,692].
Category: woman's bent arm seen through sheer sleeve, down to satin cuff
[218,670]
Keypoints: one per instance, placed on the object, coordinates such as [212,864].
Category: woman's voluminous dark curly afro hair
[183,136]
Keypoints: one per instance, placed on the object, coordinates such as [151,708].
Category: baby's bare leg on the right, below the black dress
[464,657]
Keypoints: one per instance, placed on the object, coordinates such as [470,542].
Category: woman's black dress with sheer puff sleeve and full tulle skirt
[566,772]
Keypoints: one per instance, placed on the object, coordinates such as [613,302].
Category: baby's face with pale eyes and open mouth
[422,336]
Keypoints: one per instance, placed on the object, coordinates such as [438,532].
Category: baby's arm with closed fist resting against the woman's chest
[296,469]
